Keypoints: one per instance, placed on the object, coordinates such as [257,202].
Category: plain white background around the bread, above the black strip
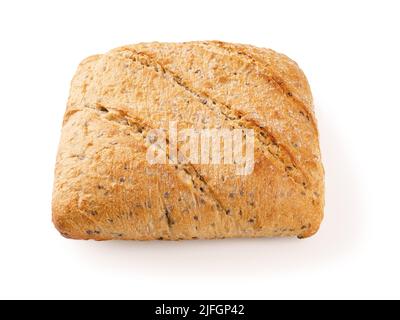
[350,53]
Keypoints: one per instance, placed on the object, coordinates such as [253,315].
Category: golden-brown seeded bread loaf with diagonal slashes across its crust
[105,186]
